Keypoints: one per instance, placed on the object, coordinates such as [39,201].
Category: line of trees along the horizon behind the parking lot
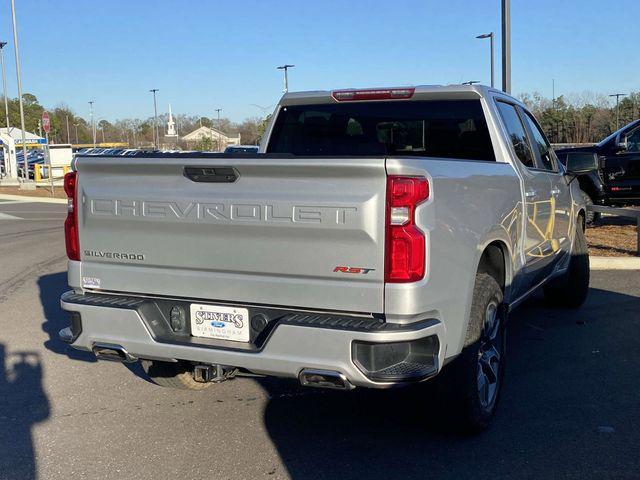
[583,118]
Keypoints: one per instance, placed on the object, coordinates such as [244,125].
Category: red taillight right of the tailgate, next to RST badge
[405,243]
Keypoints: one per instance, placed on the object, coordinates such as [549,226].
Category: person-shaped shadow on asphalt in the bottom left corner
[23,403]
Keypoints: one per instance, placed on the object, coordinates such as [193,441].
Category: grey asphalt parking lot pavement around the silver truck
[570,407]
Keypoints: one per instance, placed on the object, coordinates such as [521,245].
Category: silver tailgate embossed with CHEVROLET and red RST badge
[273,236]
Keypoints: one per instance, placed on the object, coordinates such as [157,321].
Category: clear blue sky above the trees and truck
[204,55]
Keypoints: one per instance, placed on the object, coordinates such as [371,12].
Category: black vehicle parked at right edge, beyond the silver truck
[617,180]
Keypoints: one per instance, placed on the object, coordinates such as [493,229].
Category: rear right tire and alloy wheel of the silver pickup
[473,381]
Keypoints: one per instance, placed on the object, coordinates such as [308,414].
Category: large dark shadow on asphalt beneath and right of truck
[556,409]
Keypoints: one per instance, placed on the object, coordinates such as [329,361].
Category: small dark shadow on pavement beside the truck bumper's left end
[51,287]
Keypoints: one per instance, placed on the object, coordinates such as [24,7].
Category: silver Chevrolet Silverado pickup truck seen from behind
[379,238]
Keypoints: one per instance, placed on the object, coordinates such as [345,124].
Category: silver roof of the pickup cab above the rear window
[420,92]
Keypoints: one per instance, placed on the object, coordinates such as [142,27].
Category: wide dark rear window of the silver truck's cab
[443,128]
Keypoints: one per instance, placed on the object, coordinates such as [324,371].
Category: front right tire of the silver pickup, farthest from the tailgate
[571,289]
